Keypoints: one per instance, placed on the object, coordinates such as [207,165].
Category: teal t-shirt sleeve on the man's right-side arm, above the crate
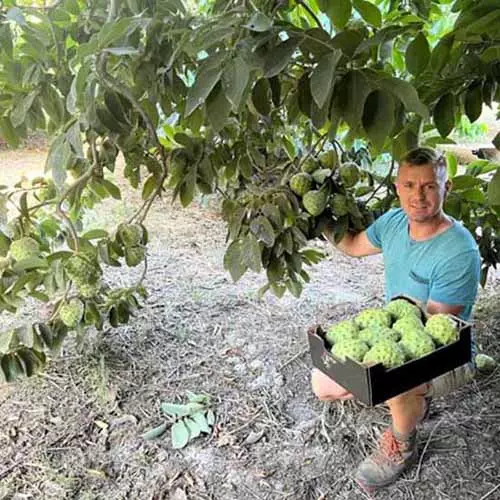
[456,281]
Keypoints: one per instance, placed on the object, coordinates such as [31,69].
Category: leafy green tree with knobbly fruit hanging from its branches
[281,108]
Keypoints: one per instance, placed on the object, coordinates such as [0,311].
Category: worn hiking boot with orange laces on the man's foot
[388,462]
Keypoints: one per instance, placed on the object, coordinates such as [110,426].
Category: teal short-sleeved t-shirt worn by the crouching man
[445,268]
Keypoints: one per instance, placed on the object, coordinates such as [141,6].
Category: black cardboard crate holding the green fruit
[374,384]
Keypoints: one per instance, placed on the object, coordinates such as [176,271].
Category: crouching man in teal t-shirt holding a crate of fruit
[432,258]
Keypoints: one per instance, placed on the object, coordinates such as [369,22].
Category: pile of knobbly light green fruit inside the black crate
[392,335]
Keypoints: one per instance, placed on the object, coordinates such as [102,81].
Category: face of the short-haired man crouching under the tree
[421,191]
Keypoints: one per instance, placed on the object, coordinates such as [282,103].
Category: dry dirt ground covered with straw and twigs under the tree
[75,431]
